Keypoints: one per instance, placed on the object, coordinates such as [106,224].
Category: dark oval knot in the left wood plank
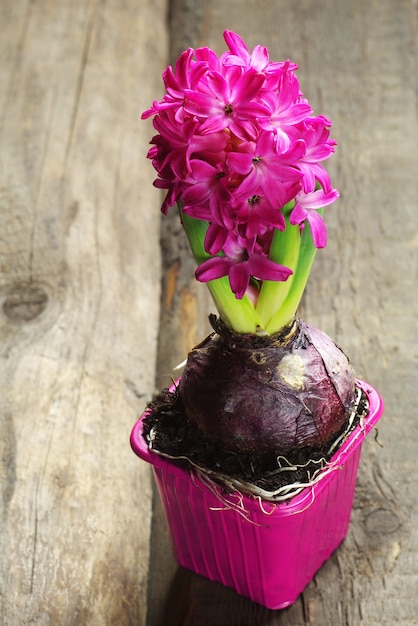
[25,302]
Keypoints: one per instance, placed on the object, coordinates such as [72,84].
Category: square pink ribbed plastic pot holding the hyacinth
[268,552]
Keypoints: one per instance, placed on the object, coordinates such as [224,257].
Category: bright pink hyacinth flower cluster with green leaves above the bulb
[240,152]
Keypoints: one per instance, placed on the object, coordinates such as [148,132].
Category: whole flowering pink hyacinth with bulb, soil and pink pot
[255,448]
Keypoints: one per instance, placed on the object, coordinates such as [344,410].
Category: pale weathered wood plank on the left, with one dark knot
[79,289]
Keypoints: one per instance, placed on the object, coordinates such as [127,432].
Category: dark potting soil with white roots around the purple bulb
[173,435]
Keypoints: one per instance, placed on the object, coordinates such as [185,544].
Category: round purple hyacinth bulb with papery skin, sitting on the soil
[282,393]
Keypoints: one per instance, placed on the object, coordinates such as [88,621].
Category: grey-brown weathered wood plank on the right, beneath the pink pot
[358,65]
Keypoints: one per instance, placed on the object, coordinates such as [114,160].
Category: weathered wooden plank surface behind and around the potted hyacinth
[85,342]
